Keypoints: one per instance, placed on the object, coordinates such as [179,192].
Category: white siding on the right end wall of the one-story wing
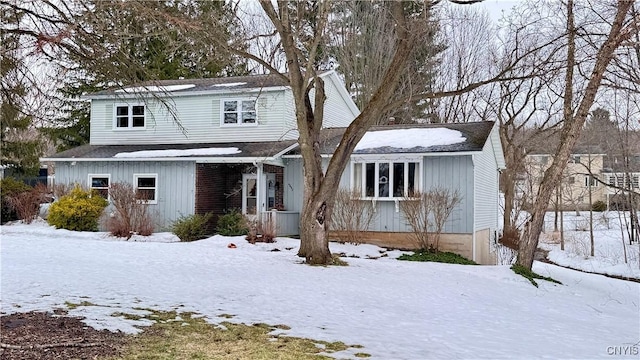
[486,177]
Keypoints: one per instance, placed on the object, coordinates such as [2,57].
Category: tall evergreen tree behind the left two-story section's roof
[135,46]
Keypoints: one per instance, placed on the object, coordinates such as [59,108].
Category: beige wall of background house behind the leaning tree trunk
[574,187]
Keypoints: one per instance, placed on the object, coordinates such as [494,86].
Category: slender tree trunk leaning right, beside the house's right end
[569,136]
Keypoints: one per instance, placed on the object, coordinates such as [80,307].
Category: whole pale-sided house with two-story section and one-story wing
[211,145]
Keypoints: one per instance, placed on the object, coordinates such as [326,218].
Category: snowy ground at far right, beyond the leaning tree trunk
[610,244]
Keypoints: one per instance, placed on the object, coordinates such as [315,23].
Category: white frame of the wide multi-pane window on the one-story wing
[362,186]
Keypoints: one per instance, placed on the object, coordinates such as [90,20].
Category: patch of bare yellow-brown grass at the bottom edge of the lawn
[184,336]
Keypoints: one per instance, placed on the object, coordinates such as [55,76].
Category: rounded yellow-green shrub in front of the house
[79,210]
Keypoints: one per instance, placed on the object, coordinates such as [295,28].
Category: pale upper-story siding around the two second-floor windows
[198,115]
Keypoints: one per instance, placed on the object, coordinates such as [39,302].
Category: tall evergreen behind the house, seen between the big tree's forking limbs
[362,45]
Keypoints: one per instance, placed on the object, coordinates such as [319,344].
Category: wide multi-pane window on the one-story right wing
[386,180]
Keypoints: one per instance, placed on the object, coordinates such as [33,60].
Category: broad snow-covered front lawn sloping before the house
[395,309]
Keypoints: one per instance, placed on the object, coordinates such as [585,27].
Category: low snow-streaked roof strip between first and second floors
[210,152]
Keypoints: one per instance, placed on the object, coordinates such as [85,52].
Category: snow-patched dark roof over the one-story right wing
[475,135]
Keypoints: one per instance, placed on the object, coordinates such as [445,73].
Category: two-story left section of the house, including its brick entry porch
[196,146]
